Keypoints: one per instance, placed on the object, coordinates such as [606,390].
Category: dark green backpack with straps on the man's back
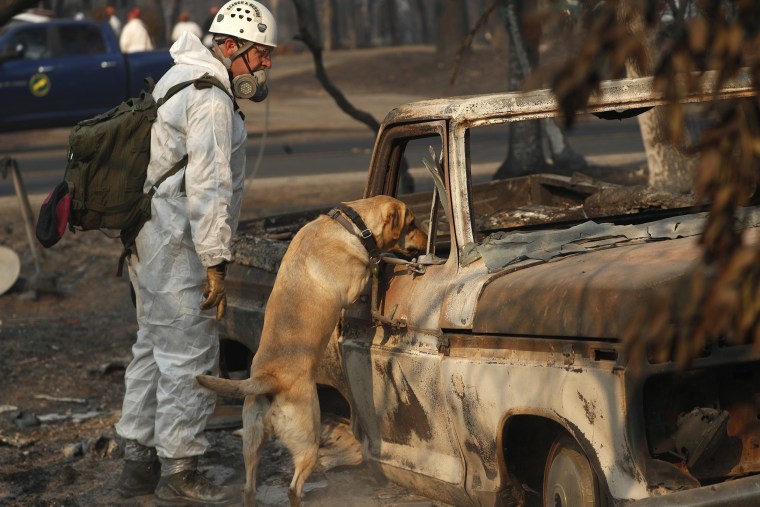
[107,163]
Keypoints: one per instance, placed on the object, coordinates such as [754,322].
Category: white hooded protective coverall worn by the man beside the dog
[164,406]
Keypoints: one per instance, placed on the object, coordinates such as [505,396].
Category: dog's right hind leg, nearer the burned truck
[297,426]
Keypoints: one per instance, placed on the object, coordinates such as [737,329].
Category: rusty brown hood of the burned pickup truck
[594,295]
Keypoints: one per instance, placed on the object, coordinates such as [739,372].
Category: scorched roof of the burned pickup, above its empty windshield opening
[620,94]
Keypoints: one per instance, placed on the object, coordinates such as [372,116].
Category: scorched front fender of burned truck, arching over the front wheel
[485,388]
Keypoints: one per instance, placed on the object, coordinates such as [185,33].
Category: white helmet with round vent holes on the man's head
[246,19]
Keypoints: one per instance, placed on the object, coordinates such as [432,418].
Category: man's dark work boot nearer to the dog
[182,484]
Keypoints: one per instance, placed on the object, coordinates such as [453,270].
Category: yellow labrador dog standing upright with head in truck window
[323,272]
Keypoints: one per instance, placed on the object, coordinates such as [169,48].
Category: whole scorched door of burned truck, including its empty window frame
[394,375]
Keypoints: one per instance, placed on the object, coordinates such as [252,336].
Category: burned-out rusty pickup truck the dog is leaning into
[491,370]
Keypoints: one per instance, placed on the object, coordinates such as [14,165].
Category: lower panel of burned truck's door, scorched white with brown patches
[400,405]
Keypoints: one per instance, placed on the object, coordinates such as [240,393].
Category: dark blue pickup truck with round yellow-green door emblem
[56,72]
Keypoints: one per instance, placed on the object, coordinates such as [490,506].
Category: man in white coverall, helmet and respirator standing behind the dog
[178,270]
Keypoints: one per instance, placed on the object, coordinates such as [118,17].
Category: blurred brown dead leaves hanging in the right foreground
[723,37]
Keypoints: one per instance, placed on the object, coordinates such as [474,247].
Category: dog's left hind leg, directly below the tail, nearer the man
[255,434]
